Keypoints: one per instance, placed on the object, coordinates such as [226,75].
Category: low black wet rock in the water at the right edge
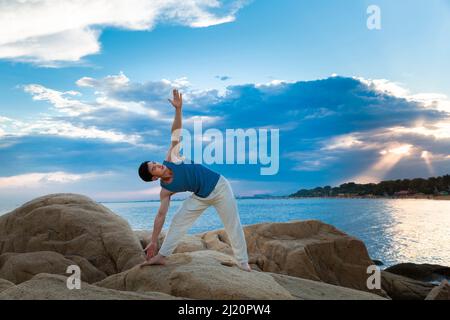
[421,272]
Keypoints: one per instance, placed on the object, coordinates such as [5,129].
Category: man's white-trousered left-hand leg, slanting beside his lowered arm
[189,211]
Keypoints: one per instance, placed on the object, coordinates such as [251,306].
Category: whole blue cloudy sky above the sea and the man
[84,88]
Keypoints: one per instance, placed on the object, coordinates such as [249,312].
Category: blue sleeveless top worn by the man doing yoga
[191,177]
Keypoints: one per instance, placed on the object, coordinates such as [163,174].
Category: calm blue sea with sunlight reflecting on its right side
[393,230]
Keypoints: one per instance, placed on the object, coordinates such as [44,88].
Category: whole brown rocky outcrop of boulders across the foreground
[295,260]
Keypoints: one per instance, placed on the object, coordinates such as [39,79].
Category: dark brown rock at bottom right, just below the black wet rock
[403,288]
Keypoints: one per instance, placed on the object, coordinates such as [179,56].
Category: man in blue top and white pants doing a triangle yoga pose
[209,189]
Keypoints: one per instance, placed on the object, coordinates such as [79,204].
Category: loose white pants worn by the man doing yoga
[222,198]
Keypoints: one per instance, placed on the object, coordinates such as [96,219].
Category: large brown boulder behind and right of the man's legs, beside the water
[305,249]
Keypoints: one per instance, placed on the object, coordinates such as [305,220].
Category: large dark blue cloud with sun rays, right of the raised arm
[345,128]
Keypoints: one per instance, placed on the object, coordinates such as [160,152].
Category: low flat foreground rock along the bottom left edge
[54,287]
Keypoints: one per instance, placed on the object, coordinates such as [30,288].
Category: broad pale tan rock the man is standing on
[209,274]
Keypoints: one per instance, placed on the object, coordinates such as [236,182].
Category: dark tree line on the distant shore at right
[401,187]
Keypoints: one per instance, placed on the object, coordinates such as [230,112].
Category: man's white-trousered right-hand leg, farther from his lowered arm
[226,206]
